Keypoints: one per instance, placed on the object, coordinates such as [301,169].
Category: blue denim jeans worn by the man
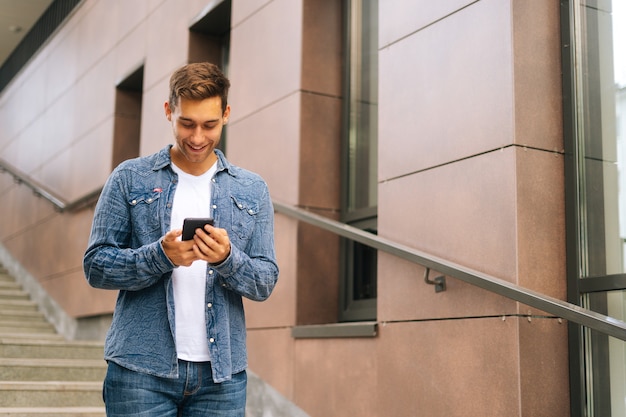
[129,393]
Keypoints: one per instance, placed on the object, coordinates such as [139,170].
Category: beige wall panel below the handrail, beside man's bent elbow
[280,309]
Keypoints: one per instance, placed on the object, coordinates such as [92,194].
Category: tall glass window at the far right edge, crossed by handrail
[595,58]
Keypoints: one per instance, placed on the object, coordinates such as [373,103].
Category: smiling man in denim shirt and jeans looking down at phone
[177,342]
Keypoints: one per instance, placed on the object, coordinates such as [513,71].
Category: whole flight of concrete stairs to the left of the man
[41,373]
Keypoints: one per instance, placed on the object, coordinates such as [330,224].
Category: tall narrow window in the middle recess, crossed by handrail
[360,199]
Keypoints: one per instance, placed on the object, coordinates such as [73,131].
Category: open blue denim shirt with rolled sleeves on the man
[125,253]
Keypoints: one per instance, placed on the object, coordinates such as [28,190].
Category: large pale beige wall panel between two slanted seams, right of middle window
[445,92]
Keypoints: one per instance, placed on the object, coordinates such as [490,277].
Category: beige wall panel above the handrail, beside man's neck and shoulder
[267,142]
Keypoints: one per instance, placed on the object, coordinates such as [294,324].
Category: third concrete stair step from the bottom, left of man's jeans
[29,369]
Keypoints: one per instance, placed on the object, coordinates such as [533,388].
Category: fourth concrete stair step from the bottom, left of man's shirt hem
[18,346]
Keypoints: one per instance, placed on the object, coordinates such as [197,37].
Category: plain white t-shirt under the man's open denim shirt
[192,199]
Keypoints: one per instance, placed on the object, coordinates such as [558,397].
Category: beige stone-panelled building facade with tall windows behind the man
[458,128]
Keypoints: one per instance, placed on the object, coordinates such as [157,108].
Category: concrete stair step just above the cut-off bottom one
[50,394]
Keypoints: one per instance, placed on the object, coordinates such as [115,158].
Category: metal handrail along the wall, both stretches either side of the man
[551,305]
